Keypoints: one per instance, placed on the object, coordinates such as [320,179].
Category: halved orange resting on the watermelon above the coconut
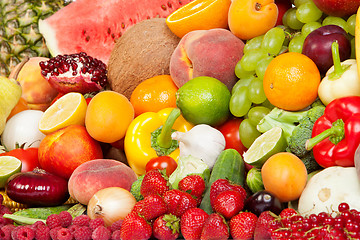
[199,15]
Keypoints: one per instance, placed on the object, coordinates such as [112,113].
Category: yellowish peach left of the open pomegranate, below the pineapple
[36,90]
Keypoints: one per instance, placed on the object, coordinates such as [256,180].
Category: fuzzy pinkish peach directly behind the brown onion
[98,174]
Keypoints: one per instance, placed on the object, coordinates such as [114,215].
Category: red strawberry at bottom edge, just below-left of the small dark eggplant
[242,225]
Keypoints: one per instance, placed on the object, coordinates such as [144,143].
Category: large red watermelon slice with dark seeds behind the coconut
[92,26]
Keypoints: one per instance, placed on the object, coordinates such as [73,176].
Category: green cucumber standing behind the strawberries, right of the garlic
[229,165]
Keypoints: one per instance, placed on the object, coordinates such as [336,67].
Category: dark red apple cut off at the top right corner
[338,8]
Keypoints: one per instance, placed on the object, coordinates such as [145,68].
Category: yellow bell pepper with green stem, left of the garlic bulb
[139,143]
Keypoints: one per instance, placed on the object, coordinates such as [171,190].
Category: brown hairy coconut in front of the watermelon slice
[142,52]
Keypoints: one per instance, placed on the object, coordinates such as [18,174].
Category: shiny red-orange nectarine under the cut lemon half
[62,151]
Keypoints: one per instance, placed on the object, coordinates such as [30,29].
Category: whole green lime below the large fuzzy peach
[204,100]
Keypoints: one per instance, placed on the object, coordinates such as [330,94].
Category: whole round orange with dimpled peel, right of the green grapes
[291,81]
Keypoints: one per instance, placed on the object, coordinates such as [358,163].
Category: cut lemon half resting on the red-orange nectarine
[68,110]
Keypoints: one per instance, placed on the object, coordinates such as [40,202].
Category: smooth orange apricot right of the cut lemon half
[108,116]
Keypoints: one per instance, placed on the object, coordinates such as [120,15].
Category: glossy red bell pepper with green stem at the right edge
[336,134]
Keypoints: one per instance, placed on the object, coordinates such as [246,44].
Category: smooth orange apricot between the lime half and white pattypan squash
[285,175]
